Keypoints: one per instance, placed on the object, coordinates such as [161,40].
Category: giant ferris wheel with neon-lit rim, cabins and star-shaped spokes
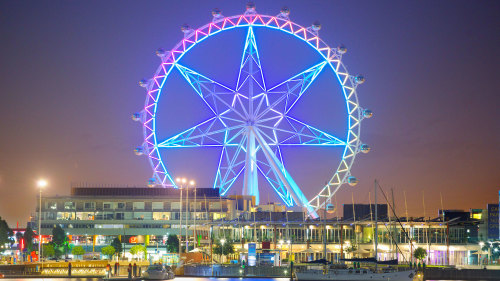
[251,119]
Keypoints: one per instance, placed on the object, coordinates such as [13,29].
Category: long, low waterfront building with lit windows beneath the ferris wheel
[93,217]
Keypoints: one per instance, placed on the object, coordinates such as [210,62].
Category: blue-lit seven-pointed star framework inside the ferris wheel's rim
[250,113]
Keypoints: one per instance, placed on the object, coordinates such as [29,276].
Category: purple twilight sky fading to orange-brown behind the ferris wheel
[69,73]
